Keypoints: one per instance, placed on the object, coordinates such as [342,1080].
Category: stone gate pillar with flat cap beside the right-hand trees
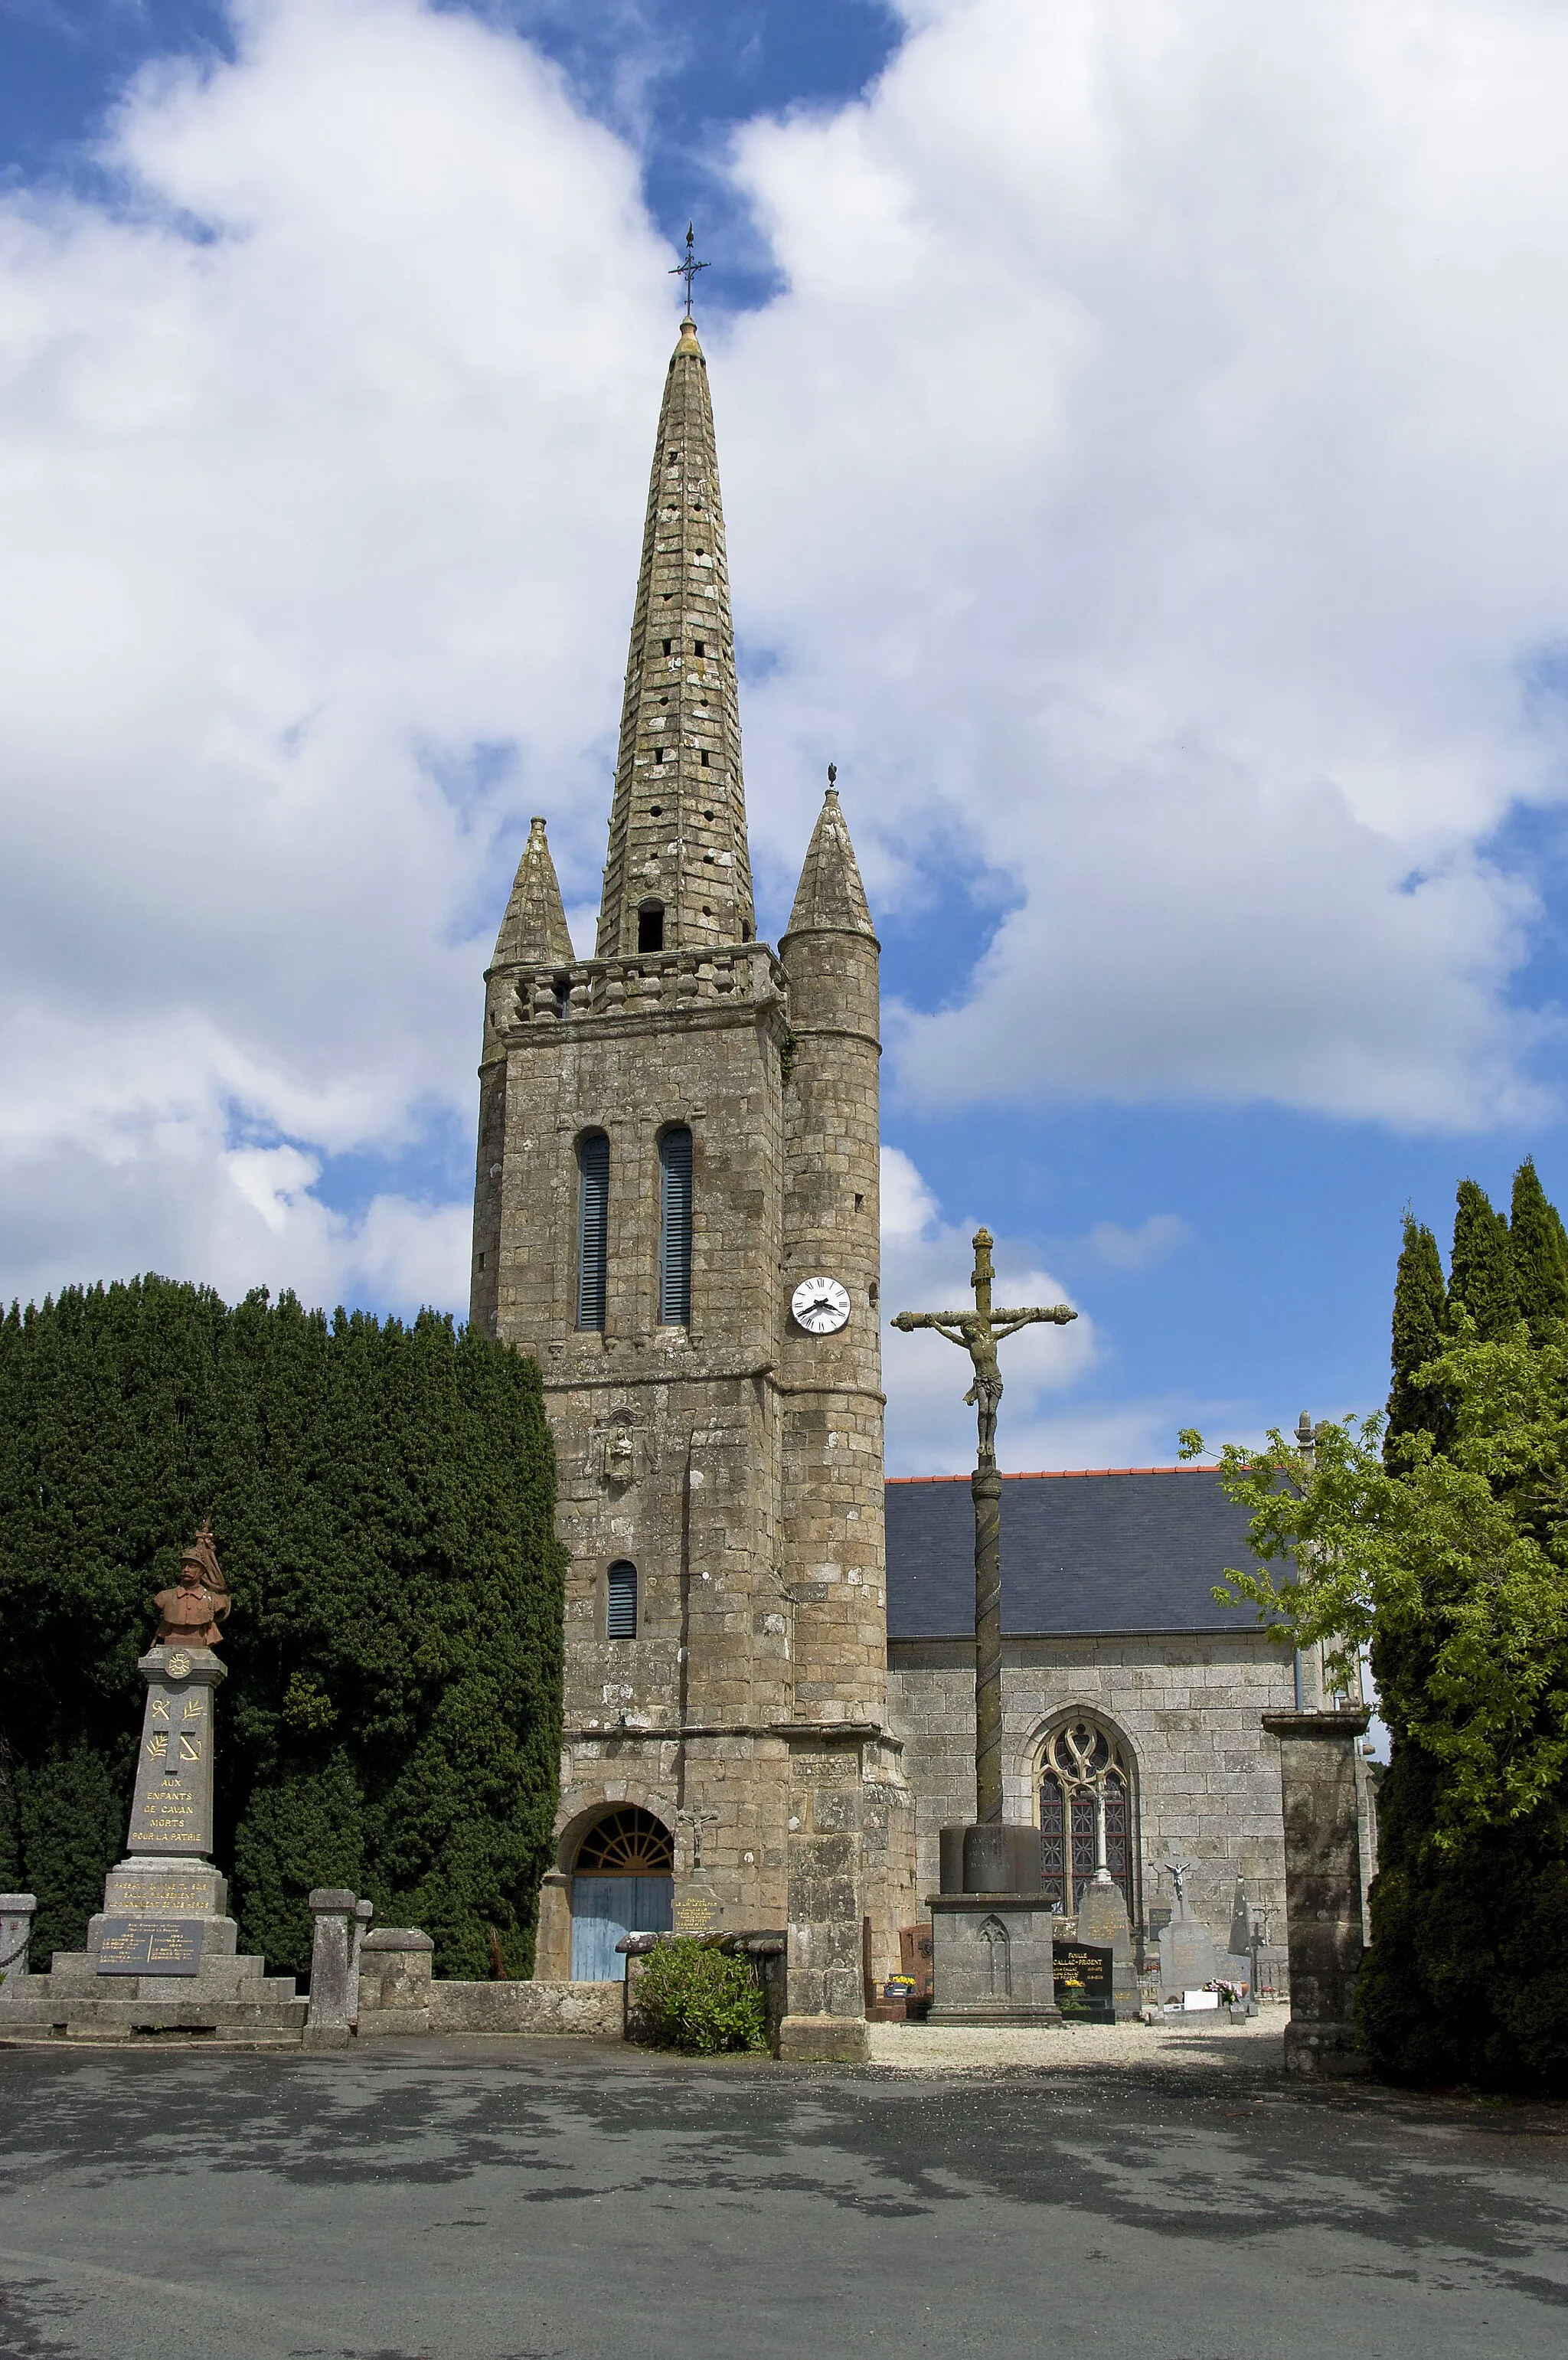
[1322,1811]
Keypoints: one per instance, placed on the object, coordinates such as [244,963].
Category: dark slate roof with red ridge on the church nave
[1119,1549]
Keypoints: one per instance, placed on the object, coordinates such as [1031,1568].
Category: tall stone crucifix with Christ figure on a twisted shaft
[980,1335]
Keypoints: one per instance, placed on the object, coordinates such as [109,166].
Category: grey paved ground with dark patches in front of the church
[525,2198]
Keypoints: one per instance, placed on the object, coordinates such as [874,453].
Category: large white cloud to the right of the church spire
[1187,501]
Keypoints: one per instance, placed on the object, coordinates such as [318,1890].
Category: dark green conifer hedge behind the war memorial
[383,1504]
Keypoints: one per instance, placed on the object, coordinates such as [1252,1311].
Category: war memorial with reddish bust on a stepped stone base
[164,1951]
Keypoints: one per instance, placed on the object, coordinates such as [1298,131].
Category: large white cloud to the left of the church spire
[324,468]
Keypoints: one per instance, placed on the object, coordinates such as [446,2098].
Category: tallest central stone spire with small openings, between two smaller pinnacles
[678,870]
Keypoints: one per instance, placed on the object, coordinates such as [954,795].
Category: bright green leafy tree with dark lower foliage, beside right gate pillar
[1456,1571]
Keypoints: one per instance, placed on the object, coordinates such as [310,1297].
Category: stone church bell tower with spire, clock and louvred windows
[676,1214]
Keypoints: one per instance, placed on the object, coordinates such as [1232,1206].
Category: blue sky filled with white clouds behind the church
[1258,745]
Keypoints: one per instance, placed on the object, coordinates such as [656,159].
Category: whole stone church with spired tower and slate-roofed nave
[770,1651]
